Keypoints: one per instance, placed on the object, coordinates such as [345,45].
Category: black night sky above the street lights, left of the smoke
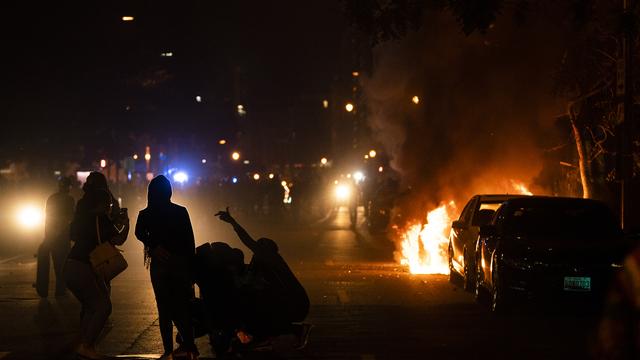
[75,74]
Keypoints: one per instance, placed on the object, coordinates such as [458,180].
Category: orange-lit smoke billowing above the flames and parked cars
[485,101]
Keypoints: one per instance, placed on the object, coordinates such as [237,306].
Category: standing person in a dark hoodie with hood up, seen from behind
[165,230]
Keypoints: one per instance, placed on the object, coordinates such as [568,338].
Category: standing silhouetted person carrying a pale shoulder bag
[90,225]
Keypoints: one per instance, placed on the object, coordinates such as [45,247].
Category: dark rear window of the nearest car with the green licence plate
[571,219]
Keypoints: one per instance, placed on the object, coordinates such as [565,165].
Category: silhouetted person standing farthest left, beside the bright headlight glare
[59,213]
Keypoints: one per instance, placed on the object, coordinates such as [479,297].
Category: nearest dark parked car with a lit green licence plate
[546,247]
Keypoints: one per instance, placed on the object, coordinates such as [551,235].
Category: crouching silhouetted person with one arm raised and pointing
[278,298]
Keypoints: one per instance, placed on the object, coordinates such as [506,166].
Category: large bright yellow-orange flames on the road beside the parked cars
[424,246]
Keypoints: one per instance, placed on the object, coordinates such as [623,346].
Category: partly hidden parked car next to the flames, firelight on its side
[478,211]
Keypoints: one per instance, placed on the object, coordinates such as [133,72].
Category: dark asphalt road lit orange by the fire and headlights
[364,306]
